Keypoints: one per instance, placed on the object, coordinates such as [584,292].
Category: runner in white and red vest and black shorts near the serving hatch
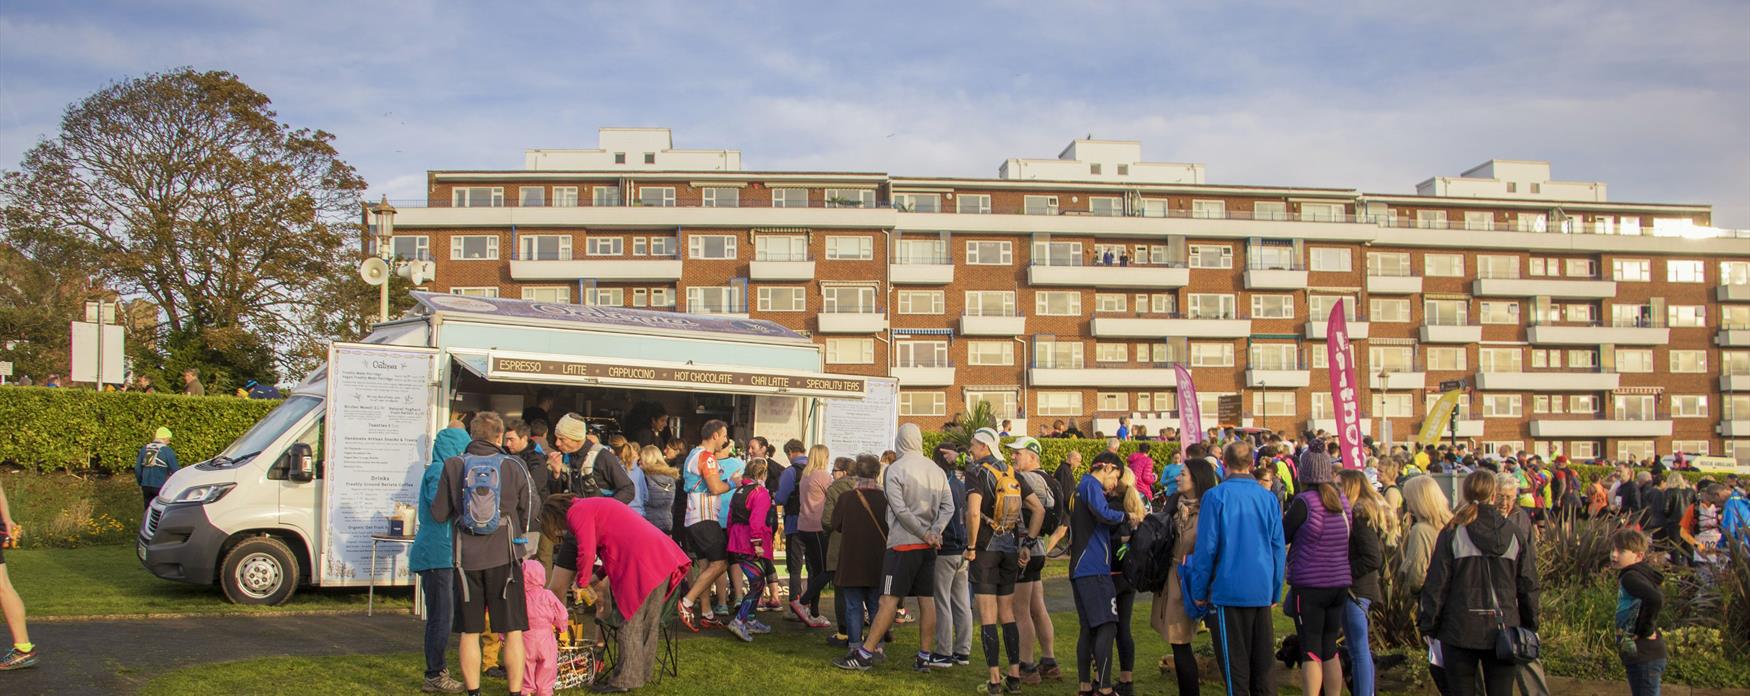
[704,536]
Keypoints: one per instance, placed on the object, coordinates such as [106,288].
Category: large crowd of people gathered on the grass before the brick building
[1235,527]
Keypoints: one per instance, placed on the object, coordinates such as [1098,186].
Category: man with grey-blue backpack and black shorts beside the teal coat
[493,503]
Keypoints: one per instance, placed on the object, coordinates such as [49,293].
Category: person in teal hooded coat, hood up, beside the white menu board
[435,562]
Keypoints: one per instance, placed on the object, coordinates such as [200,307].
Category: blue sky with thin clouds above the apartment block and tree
[1653,99]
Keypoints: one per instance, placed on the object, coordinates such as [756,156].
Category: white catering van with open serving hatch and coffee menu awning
[293,503]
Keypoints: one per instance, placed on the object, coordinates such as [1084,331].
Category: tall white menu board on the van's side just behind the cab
[379,443]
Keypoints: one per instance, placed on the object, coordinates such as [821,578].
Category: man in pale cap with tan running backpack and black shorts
[1000,550]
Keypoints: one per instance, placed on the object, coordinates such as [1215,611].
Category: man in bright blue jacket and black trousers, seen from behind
[1238,569]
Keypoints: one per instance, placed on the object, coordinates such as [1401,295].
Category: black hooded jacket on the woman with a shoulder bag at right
[1490,555]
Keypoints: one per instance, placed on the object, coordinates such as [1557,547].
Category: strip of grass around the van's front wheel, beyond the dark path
[109,581]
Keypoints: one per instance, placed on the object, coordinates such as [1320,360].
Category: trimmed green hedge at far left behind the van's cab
[53,429]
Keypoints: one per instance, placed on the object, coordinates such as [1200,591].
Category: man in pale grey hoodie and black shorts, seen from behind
[920,506]
